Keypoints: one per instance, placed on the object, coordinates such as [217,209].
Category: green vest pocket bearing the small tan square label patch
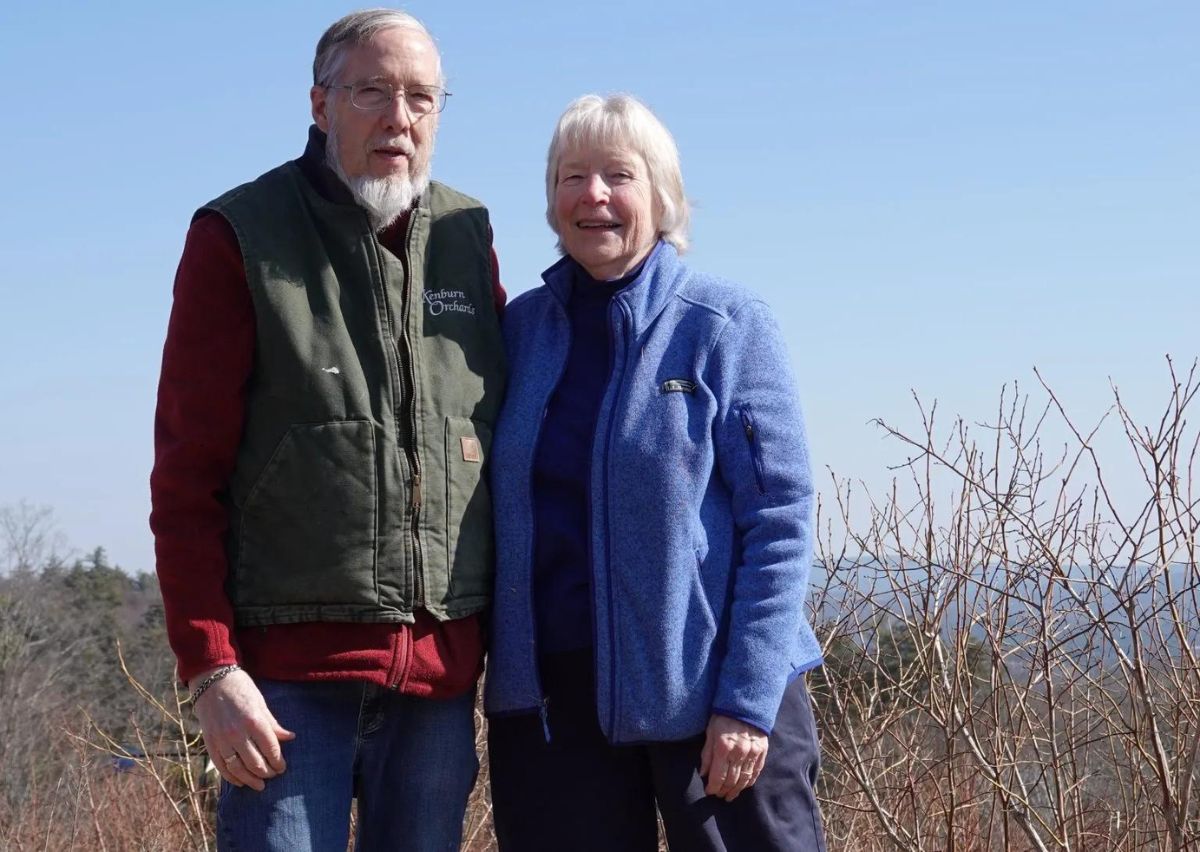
[471,549]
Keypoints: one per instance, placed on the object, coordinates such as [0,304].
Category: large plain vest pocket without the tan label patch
[309,524]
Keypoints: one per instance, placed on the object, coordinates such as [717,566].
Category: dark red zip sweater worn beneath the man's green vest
[207,363]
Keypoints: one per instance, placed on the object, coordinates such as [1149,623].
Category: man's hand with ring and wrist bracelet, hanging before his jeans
[241,734]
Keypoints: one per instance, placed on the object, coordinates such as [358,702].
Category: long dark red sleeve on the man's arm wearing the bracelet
[206,365]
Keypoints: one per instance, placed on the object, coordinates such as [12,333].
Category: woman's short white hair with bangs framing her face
[622,121]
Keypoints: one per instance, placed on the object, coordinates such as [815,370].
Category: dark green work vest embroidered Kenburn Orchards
[361,490]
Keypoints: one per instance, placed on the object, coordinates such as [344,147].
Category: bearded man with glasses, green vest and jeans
[323,530]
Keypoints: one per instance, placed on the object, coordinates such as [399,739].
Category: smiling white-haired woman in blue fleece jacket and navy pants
[655,526]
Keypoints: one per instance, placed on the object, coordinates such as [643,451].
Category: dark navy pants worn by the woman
[578,793]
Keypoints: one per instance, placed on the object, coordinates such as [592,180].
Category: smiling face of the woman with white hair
[604,208]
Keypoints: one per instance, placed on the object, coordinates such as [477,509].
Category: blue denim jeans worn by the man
[410,763]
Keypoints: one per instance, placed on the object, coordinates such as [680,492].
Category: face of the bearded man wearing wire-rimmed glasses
[388,142]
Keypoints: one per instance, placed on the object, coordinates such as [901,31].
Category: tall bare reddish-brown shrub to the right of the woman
[1012,651]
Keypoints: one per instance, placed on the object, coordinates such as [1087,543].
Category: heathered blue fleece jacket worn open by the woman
[701,511]
